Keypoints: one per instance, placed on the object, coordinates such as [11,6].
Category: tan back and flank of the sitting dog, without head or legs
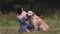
[40,22]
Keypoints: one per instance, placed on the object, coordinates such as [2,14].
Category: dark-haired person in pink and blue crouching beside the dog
[22,19]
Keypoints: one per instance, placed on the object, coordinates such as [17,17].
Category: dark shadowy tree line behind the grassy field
[7,6]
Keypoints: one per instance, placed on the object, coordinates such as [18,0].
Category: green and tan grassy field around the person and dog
[9,24]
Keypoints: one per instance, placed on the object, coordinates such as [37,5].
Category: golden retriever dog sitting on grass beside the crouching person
[37,22]
